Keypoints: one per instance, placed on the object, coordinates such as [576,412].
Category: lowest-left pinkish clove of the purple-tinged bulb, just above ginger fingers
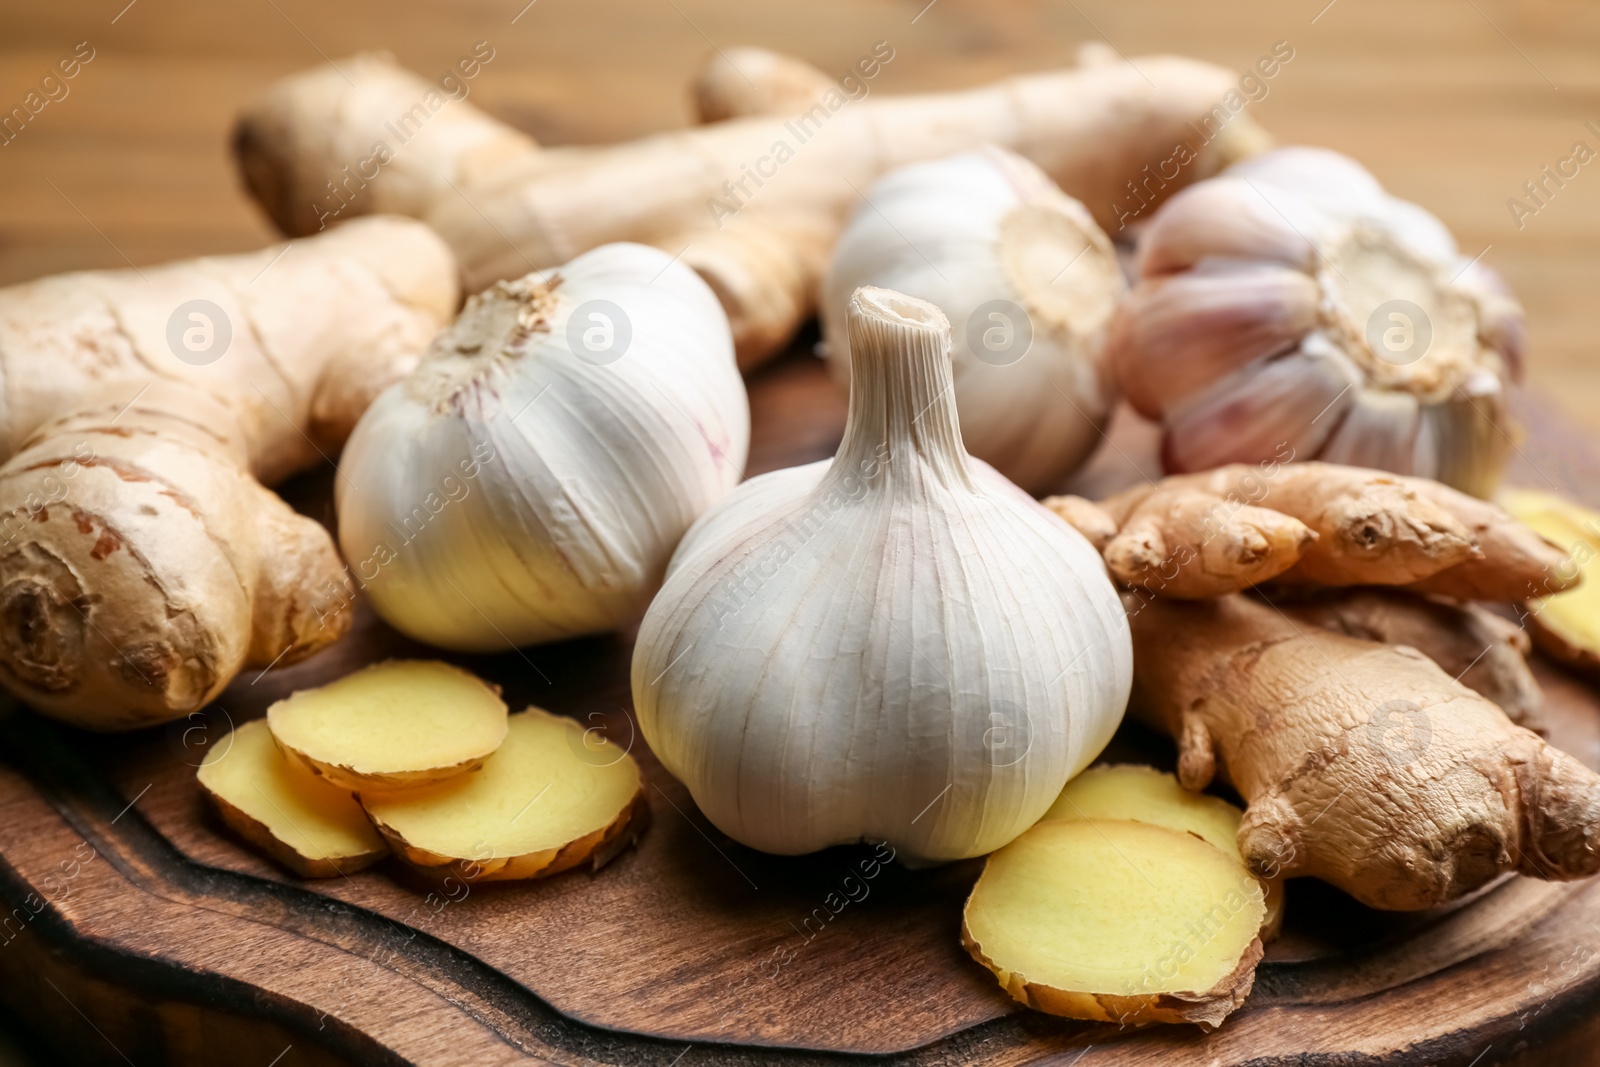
[1284,409]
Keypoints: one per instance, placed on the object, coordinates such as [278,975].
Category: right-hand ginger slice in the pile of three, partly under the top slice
[550,799]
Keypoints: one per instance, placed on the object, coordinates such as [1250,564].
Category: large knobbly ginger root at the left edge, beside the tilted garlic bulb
[142,561]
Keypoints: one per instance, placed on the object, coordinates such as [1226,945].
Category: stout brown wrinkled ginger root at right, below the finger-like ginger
[1362,764]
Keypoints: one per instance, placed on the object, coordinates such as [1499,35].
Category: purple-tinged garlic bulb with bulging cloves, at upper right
[1290,306]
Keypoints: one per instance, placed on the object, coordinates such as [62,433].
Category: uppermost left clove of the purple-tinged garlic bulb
[1226,218]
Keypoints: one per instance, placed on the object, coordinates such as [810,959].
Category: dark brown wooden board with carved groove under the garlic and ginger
[167,941]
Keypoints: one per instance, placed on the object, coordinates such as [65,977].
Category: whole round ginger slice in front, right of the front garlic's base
[1118,922]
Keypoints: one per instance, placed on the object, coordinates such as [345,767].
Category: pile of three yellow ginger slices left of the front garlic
[422,761]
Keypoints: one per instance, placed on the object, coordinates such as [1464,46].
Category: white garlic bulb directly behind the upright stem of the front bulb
[1028,281]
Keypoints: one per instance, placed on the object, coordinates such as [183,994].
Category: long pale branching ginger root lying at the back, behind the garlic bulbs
[754,204]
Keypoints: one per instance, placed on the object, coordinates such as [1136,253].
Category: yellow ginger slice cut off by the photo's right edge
[1564,625]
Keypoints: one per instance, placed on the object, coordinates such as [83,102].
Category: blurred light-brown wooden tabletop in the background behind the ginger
[1454,105]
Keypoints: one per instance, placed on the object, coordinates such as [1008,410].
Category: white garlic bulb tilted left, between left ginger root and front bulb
[530,481]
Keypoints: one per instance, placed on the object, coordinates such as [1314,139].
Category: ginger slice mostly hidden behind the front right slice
[1129,791]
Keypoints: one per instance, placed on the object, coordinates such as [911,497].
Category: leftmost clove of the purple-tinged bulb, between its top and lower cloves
[1180,334]
